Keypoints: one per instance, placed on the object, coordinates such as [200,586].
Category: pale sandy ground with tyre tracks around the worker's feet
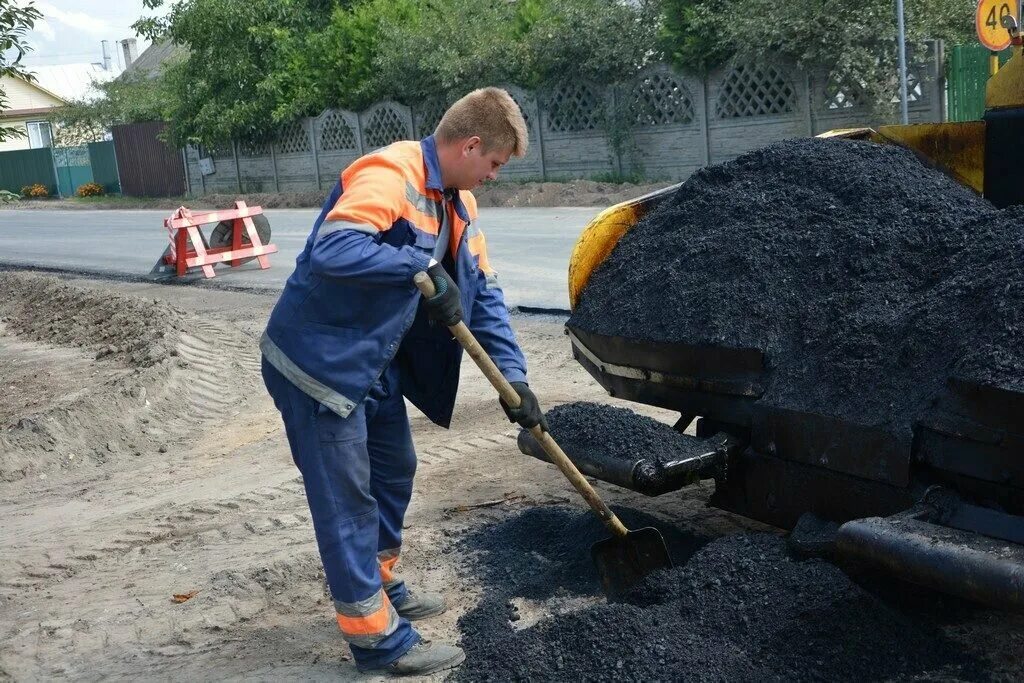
[161,469]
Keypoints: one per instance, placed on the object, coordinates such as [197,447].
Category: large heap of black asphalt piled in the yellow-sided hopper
[850,265]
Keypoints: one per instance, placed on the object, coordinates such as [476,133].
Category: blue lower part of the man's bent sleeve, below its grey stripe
[358,258]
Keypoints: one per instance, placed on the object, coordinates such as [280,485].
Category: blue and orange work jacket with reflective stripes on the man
[351,307]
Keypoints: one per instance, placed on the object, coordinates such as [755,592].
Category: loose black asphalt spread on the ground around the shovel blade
[738,609]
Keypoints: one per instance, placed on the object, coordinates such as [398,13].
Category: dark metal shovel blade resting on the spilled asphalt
[622,563]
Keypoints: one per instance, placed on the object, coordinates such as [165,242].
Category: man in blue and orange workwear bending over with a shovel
[352,336]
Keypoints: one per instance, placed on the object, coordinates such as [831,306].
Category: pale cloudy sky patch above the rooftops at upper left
[72,30]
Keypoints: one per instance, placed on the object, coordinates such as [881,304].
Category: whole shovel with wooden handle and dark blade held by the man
[628,556]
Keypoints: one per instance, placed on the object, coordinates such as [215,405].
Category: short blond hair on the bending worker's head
[490,114]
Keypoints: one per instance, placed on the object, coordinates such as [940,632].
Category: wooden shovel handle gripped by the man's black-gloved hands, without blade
[509,396]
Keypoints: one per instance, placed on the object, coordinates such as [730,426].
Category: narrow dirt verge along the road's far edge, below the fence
[501,194]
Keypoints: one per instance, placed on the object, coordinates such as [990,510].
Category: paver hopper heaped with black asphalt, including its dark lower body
[851,318]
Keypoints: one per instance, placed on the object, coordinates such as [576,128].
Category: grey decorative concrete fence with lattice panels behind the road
[668,125]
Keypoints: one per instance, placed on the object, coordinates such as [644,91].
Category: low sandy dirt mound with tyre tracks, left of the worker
[95,378]
